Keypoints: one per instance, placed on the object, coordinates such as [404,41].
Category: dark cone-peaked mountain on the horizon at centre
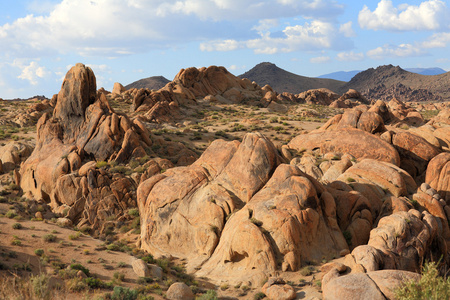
[283,81]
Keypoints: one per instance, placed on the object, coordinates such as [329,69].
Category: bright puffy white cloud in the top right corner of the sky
[429,15]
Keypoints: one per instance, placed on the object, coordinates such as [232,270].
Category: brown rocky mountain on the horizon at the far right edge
[387,81]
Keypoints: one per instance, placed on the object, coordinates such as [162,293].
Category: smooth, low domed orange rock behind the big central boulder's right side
[356,142]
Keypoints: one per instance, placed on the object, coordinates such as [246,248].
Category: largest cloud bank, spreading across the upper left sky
[115,27]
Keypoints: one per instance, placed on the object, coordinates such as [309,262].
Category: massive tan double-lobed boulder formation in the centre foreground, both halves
[234,193]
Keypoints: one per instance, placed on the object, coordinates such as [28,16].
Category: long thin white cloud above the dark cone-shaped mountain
[314,35]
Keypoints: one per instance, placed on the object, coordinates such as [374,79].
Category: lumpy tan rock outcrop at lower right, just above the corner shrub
[400,241]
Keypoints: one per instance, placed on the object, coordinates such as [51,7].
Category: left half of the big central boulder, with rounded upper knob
[183,211]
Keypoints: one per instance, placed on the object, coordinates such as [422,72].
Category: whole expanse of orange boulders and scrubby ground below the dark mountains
[262,207]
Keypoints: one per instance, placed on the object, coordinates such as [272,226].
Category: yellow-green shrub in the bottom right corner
[430,285]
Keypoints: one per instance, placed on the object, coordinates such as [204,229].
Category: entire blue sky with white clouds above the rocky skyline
[126,40]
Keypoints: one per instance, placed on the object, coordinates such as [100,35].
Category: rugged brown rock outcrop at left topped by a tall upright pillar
[84,128]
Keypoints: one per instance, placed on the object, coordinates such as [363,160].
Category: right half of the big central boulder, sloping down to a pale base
[291,221]
